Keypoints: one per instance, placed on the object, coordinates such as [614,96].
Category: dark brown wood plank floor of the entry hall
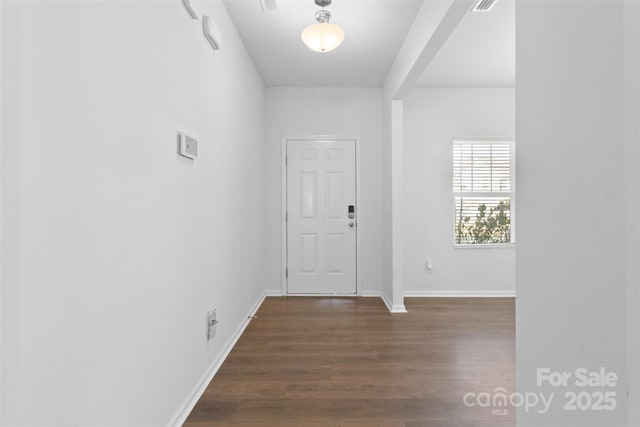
[329,362]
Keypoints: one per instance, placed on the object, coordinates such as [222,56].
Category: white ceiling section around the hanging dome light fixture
[374,29]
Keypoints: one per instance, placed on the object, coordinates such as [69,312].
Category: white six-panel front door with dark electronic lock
[321,217]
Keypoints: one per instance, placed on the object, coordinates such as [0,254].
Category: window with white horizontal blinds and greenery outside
[483,186]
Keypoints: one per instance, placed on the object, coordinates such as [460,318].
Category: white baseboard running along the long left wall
[190,402]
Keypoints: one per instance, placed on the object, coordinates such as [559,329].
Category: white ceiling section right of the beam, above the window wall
[481,51]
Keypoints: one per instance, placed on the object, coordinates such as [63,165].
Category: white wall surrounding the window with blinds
[433,118]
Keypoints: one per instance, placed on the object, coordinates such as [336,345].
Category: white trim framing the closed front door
[283,208]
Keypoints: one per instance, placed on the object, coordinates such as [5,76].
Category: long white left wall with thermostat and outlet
[119,245]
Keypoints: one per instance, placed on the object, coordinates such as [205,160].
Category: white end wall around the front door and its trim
[297,111]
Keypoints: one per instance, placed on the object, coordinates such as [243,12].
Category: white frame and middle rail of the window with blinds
[511,194]
